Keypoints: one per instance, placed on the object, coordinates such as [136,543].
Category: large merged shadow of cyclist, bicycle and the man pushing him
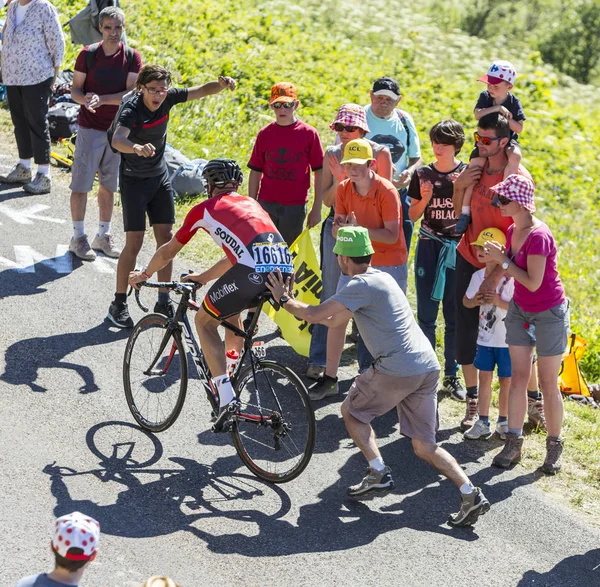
[156,501]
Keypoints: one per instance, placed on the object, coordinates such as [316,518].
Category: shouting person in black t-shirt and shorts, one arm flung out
[141,136]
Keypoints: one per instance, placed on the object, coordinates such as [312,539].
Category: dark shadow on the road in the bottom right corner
[574,571]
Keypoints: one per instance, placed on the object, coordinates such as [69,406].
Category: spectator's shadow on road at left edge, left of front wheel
[25,358]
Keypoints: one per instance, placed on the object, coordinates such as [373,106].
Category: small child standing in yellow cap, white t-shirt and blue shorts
[492,350]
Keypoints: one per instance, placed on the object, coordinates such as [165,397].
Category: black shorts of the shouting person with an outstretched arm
[141,195]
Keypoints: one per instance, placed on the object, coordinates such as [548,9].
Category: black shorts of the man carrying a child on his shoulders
[467,319]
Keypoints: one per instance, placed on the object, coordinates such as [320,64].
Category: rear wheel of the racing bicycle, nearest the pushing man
[274,432]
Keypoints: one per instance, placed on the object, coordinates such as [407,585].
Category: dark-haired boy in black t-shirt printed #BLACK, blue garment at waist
[430,191]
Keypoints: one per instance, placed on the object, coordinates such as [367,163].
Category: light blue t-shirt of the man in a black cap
[391,133]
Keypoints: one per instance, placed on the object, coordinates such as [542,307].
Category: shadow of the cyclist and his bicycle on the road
[173,499]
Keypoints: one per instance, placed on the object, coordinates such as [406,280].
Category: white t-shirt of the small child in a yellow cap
[492,330]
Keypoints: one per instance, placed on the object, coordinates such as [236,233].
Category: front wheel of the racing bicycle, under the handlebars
[155,373]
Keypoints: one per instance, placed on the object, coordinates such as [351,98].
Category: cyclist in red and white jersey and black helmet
[253,248]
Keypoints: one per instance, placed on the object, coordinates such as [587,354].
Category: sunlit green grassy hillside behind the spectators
[332,51]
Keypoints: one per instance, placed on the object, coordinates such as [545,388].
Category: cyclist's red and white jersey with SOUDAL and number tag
[241,227]
